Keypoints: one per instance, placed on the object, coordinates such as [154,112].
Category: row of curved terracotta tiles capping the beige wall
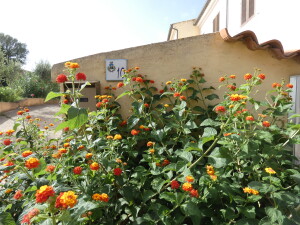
[250,39]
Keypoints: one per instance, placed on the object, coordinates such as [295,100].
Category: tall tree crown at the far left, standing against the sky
[13,49]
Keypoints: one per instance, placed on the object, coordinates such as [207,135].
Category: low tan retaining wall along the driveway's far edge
[6,106]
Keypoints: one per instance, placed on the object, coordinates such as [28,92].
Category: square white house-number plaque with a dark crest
[114,69]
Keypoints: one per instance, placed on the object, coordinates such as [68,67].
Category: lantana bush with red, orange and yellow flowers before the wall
[177,159]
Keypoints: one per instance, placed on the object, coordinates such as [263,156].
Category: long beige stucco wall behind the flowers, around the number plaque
[175,59]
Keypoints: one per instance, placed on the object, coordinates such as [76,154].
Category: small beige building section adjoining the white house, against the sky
[185,29]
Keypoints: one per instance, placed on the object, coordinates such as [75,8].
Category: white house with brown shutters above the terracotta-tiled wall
[268,19]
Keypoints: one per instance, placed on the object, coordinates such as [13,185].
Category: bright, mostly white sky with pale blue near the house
[61,30]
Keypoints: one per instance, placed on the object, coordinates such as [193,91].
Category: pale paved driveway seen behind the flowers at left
[44,112]
